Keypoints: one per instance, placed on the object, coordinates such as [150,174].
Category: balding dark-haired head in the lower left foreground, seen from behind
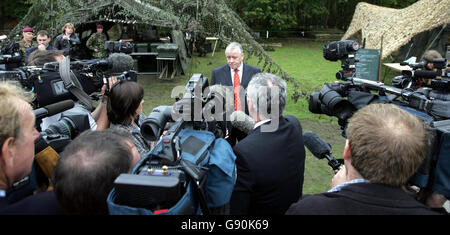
[87,168]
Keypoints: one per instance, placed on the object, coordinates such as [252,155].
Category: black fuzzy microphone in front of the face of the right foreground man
[321,149]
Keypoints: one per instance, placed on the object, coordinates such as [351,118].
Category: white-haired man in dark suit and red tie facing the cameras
[235,74]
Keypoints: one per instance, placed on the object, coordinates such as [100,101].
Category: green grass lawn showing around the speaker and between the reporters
[303,60]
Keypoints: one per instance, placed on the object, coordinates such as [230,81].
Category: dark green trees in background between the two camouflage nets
[279,15]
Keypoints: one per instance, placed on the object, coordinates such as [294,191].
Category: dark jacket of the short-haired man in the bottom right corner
[361,199]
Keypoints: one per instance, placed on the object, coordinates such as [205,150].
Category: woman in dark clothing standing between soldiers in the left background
[68,41]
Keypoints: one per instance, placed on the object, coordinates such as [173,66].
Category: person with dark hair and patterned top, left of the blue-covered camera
[124,110]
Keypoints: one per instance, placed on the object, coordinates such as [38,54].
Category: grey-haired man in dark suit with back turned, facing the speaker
[270,160]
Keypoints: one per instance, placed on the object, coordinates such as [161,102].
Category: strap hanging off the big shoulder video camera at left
[72,84]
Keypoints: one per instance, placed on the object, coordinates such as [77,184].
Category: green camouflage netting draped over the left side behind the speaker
[211,17]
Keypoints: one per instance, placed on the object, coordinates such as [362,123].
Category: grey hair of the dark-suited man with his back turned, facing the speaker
[268,93]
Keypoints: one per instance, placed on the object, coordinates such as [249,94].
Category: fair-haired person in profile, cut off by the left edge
[17,153]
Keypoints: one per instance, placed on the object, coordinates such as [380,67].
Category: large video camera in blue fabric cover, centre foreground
[191,165]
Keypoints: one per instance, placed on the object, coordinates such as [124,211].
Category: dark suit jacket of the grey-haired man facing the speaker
[270,168]
